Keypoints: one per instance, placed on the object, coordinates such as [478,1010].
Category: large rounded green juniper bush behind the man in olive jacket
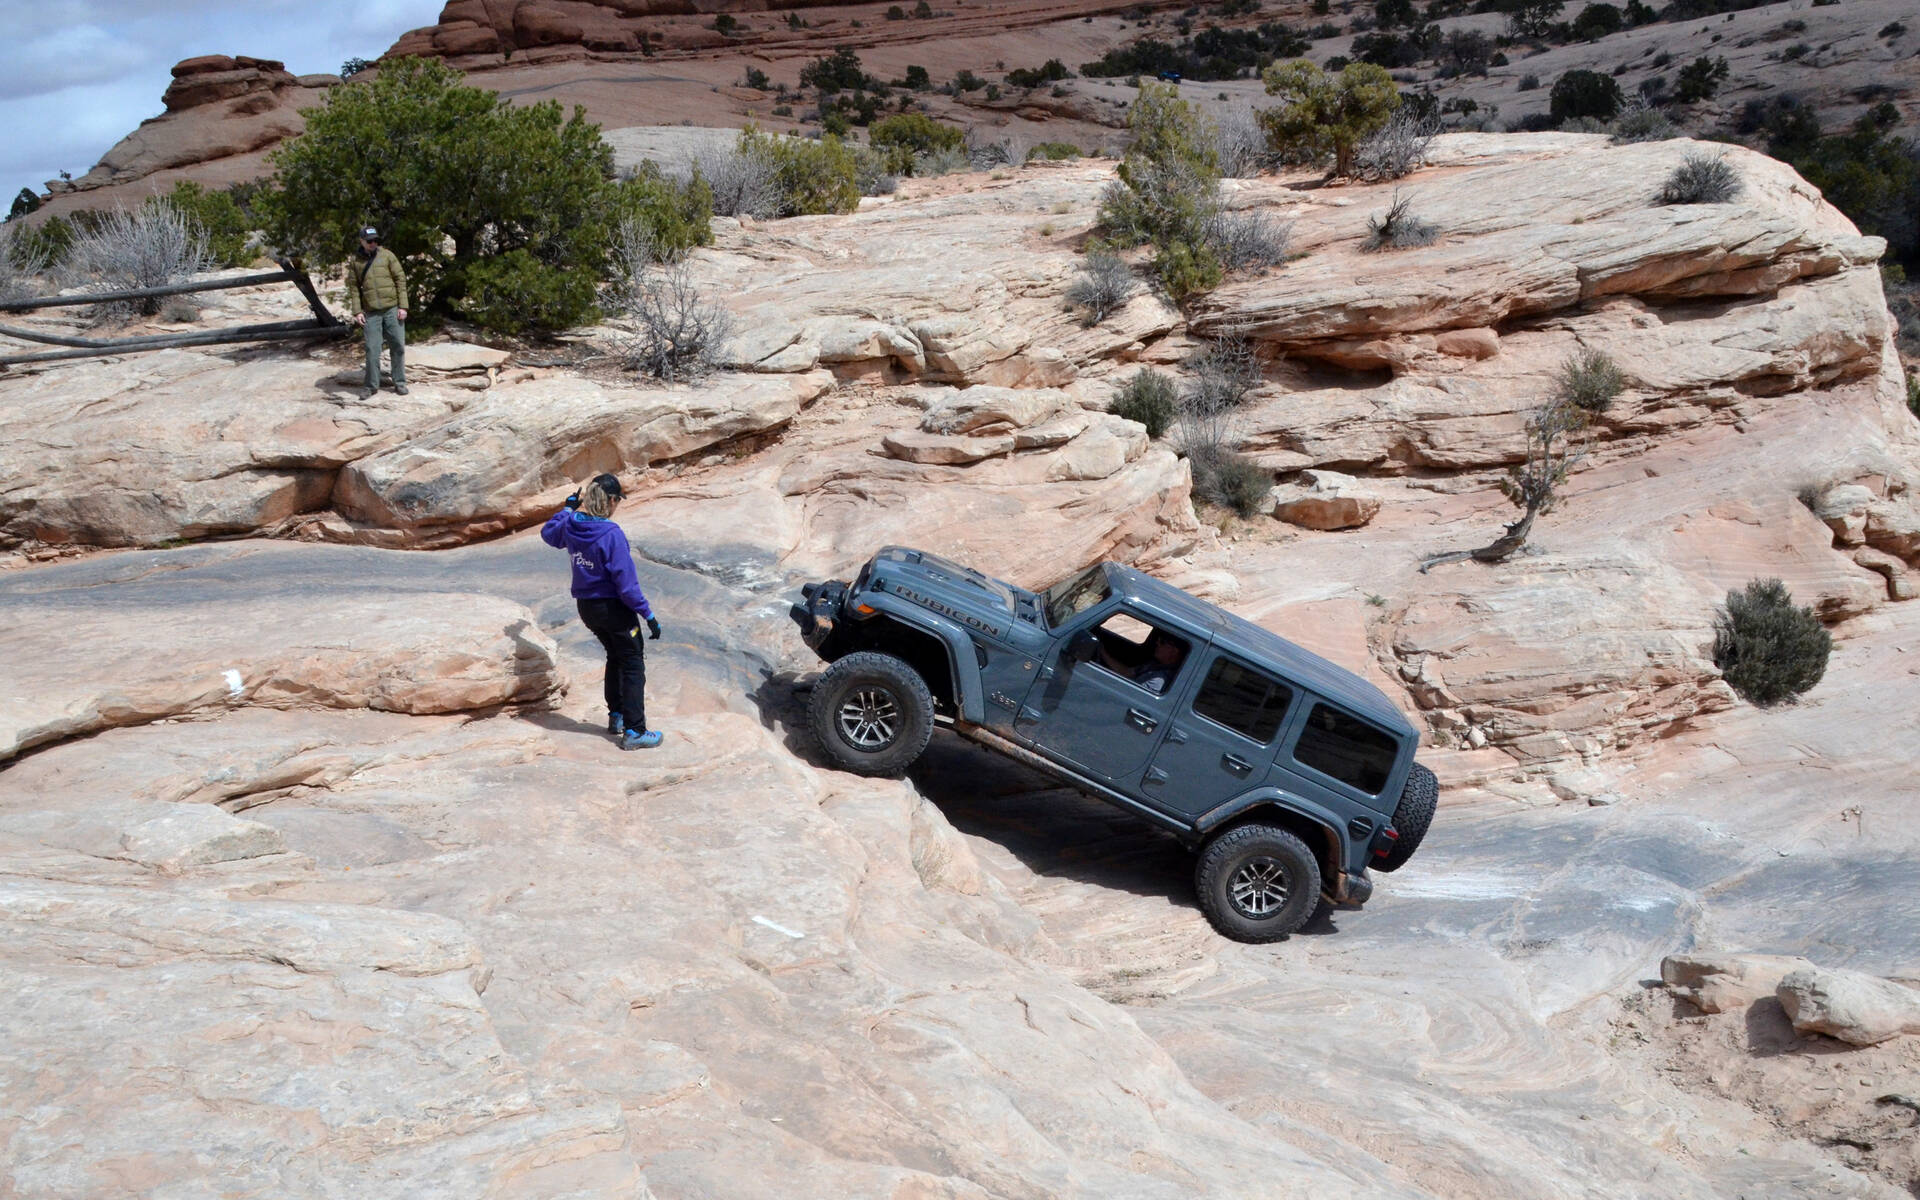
[464,178]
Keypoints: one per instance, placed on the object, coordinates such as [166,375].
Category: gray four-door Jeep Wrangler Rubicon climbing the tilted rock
[1287,775]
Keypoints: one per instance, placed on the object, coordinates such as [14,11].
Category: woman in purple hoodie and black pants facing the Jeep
[612,602]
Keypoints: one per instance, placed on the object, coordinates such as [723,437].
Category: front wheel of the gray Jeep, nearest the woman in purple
[873,713]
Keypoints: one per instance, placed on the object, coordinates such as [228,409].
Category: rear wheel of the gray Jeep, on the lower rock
[1257,884]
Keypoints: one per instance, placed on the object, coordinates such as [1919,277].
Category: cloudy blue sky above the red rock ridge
[78,76]
